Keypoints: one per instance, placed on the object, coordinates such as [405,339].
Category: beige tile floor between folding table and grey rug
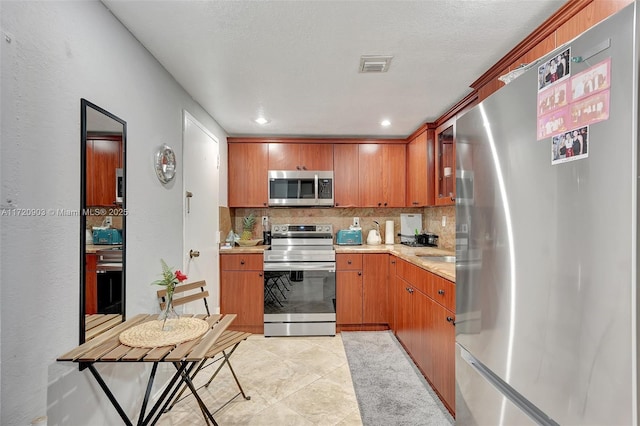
[295,381]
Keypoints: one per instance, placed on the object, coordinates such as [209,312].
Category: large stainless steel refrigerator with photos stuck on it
[547,232]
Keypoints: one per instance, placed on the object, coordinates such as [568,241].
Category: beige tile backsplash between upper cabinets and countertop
[341,219]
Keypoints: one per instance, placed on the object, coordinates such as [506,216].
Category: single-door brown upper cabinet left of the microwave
[248,174]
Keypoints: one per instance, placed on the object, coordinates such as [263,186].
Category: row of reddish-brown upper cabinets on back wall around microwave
[365,174]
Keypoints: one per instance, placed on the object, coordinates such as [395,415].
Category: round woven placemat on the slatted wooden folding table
[151,335]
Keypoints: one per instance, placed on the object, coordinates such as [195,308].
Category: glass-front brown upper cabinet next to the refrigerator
[445,163]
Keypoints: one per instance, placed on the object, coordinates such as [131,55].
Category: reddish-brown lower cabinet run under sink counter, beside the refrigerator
[424,312]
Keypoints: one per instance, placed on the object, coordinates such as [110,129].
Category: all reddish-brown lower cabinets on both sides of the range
[373,290]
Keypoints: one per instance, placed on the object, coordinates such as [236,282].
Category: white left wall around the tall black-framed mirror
[53,54]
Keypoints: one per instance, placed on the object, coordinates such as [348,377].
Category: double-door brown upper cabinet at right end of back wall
[382,173]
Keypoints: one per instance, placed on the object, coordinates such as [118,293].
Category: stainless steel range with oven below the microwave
[300,281]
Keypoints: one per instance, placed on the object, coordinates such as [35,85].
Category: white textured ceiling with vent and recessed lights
[297,62]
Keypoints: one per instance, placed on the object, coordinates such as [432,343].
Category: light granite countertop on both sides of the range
[410,254]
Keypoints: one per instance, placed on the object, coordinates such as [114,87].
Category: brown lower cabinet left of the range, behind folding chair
[242,291]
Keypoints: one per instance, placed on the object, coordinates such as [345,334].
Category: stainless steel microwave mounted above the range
[291,188]
